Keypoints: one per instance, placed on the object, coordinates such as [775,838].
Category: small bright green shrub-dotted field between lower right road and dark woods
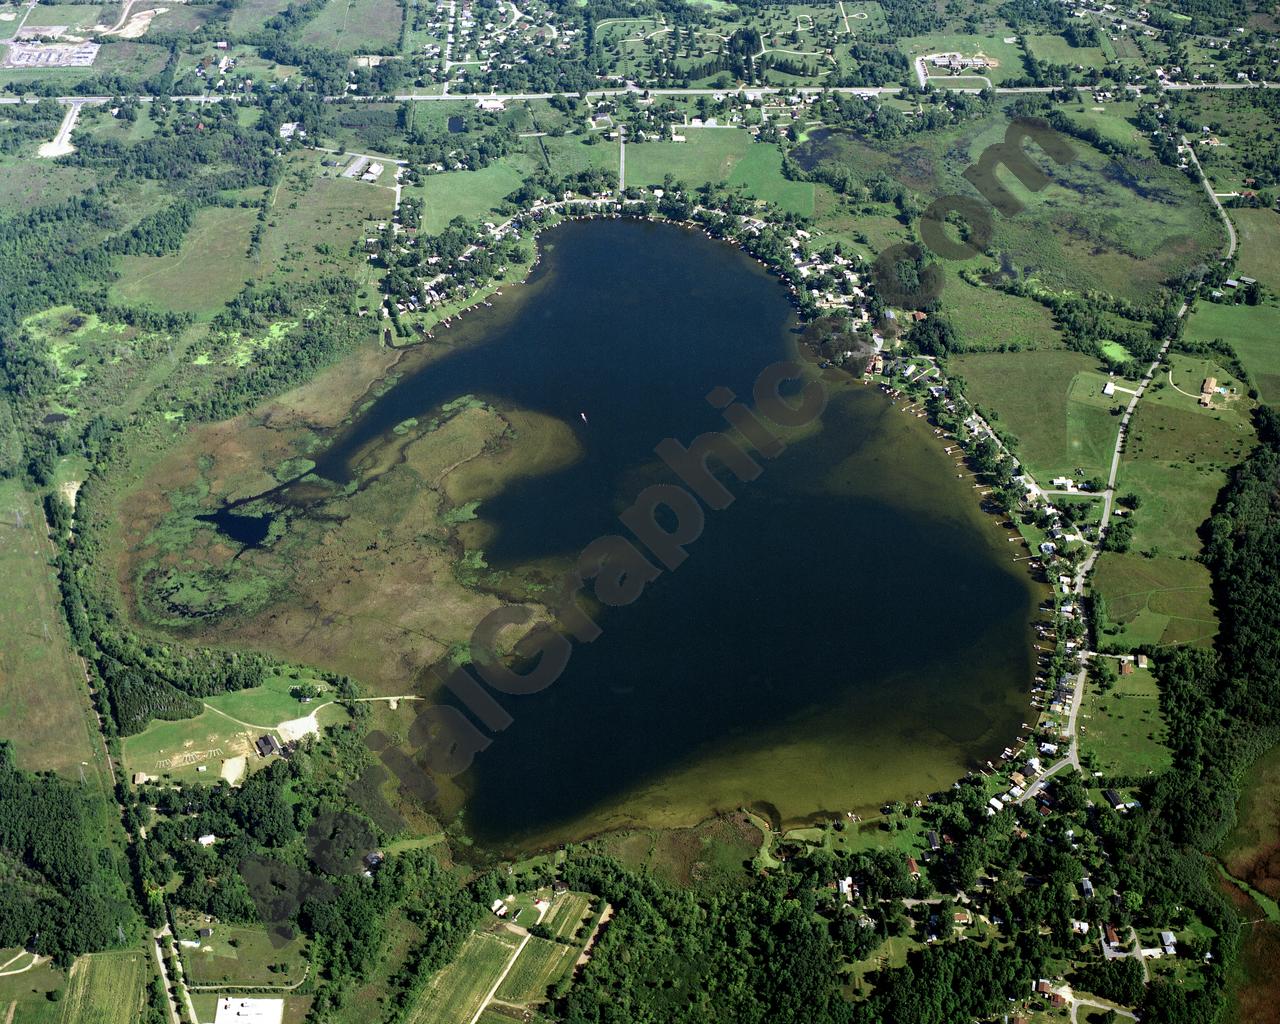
[1122,729]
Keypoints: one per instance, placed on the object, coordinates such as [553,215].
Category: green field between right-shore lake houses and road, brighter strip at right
[1053,403]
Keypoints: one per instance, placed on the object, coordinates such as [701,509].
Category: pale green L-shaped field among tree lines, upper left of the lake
[203,276]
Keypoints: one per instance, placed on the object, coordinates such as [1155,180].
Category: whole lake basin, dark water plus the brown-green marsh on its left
[851,630]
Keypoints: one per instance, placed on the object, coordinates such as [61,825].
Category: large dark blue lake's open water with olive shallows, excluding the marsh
[851,630]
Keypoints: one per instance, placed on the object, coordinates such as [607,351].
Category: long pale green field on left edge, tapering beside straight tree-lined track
[44,706]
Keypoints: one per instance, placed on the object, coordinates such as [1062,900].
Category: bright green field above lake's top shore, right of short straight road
[728,157]
